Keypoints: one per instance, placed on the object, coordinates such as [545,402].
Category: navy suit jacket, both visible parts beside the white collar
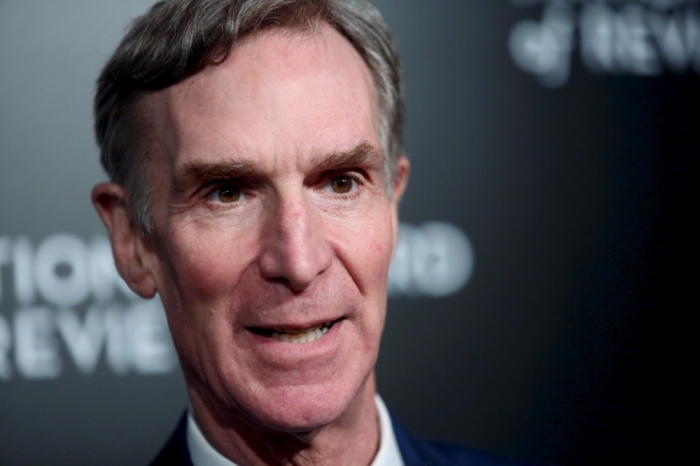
[414,451]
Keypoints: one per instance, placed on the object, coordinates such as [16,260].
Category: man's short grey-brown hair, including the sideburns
[176,39]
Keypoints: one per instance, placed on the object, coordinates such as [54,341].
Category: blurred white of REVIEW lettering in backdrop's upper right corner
[618,37]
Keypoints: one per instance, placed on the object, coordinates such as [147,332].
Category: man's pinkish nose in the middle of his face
[294,250]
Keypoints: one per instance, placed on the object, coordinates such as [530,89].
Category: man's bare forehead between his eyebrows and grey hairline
[278,93]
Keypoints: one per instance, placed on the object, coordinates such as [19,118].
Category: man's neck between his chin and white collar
[352,439]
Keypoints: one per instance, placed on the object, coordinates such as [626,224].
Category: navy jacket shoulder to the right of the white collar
[419,452]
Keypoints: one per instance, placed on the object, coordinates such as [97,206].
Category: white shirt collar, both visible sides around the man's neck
[203,454]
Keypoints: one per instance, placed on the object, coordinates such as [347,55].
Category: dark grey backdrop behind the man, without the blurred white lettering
[573,340]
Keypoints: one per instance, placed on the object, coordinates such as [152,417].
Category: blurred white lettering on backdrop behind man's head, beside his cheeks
[62,299]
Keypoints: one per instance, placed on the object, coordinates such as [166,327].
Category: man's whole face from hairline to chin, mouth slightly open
[273,227]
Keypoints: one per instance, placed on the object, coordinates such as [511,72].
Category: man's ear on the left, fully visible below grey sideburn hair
[128,244]
